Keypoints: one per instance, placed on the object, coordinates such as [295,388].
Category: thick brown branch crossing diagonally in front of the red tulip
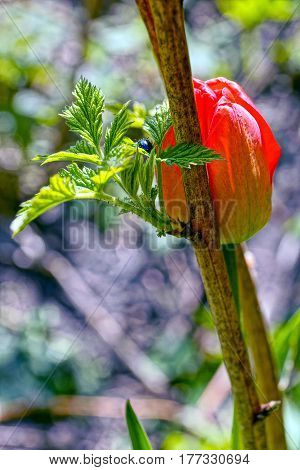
[176,71]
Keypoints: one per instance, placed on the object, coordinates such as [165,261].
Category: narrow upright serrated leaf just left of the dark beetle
[117,130]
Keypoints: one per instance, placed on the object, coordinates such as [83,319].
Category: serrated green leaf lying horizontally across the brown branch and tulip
[186,155]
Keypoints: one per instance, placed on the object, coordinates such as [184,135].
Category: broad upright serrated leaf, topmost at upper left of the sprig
[84,116]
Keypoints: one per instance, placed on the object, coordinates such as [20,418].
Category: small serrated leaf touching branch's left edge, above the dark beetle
[158,124]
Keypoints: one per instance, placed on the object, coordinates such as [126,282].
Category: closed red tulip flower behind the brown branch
[241,183]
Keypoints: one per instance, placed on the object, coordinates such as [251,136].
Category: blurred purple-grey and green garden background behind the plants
[94,308]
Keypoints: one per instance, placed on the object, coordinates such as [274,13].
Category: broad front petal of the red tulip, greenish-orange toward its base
[240,186]
